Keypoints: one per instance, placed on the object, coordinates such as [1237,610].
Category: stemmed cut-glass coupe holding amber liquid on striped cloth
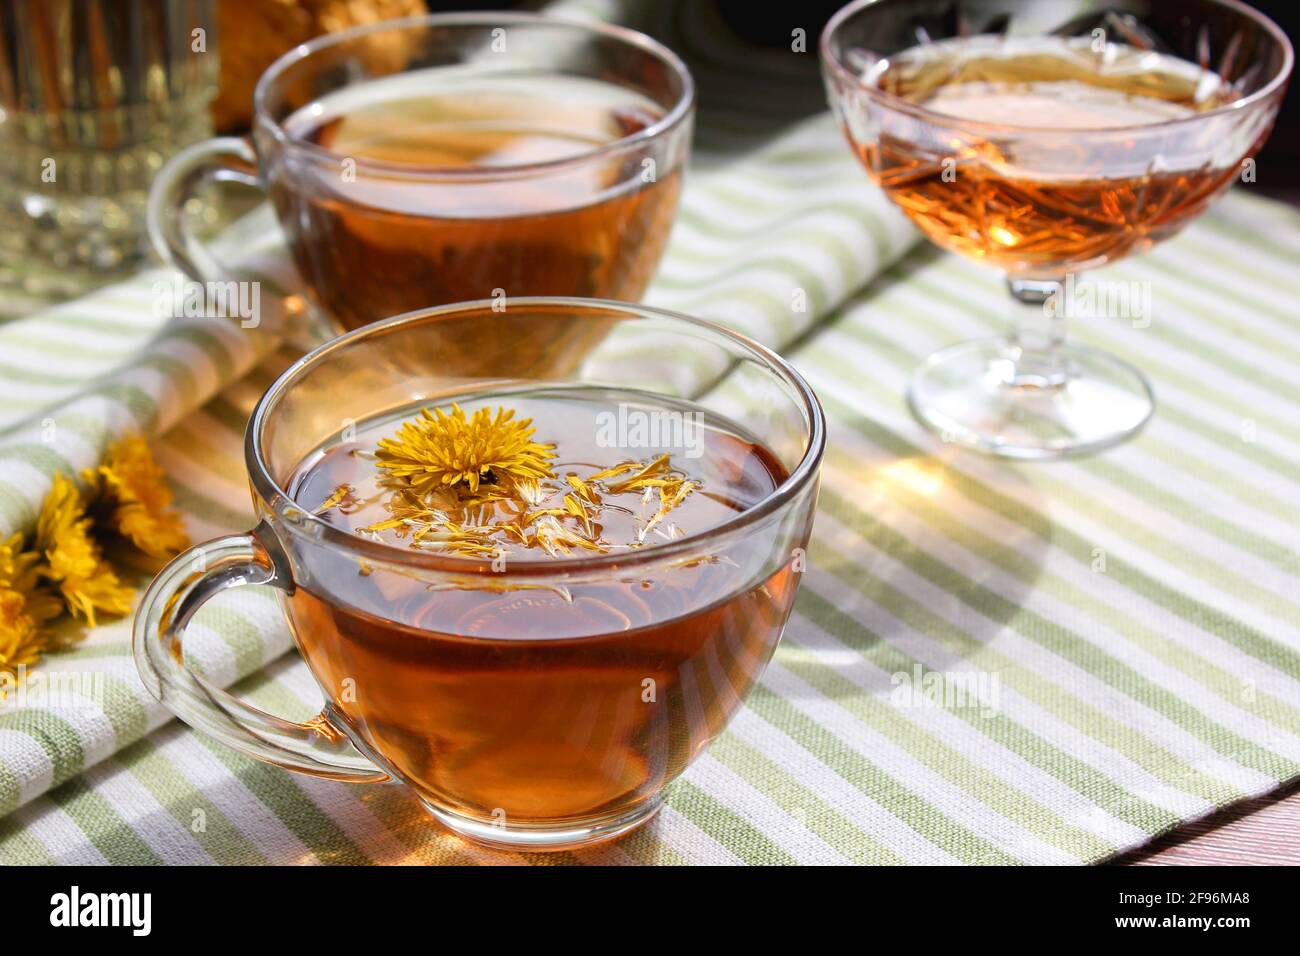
[1043,139]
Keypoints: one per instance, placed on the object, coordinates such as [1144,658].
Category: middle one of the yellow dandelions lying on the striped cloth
[72,559]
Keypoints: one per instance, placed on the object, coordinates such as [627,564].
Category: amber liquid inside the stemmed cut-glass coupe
[1009,210]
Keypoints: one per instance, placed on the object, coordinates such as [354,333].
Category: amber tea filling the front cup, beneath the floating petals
[539,704]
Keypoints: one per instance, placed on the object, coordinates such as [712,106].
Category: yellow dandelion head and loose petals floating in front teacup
[478,486]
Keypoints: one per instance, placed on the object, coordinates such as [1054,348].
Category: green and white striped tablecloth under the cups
[1136,617]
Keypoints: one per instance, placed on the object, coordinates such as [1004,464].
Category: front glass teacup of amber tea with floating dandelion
[540,659]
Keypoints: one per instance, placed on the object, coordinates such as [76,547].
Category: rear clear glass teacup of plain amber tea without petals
[453,158]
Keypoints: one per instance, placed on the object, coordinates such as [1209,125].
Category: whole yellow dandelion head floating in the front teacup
[439,449]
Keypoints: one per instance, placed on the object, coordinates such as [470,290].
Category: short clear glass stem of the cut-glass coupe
[1037,340]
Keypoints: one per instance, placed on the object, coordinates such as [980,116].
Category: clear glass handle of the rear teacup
[226,159]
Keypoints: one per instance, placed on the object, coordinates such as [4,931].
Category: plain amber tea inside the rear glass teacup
[375,245]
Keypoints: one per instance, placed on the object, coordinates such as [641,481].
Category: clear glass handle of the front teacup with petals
[317,747]
